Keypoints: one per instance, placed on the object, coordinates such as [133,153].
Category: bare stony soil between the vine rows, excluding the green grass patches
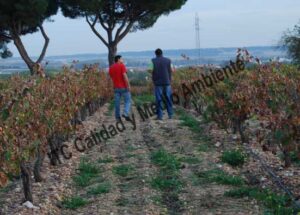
[133,193]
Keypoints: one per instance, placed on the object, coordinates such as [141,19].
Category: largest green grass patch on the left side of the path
[87,172]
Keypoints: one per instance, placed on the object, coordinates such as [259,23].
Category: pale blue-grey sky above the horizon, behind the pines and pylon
[223,23]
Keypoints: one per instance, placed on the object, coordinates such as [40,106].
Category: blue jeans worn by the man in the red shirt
[119,93]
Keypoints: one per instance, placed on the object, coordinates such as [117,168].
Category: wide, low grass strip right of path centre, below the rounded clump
[219,177]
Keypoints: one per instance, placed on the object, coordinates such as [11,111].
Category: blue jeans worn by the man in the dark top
[163,95]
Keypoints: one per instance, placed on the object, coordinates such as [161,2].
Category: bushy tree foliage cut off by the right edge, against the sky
[291,39]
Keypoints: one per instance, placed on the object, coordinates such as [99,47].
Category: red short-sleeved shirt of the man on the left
[116,72]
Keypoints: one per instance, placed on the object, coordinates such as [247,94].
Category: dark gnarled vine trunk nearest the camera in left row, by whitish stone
[26,179]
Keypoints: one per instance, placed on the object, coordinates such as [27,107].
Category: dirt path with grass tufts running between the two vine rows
[139,186]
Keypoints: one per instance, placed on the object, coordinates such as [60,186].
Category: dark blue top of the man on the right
[161,71]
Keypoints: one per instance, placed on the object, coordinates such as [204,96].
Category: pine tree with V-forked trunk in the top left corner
[21,17]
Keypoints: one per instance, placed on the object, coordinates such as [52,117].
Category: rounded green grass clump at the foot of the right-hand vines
[234,158]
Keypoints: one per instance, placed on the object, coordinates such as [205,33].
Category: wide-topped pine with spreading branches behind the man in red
[118,17]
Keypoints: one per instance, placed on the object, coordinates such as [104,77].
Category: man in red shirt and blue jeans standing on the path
[121,84]
